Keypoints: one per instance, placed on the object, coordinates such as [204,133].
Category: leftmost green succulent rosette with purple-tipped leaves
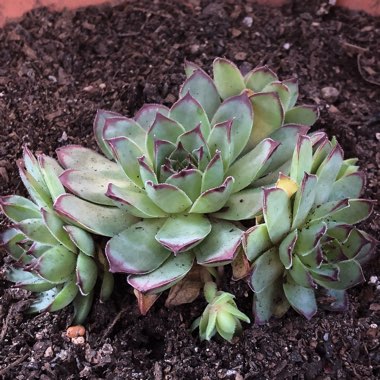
[54,259]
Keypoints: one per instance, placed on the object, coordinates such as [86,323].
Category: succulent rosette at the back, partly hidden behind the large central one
[273,101]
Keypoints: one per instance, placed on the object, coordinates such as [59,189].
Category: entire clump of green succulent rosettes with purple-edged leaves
[226,175]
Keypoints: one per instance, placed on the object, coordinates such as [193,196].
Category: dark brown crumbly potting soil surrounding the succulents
[57,69]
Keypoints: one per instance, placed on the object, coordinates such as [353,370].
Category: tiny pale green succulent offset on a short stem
[220,316]
